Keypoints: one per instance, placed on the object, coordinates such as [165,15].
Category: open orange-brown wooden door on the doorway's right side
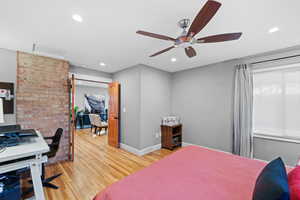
[114,115]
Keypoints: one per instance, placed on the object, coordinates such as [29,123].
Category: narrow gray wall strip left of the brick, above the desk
[8,73]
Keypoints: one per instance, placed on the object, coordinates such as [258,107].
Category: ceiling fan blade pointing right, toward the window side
[220,38]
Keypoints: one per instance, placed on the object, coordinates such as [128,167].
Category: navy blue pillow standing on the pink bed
[272,183]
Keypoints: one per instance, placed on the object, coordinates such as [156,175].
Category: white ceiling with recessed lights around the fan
[107,33]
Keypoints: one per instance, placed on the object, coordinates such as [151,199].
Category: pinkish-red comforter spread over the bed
[192,173]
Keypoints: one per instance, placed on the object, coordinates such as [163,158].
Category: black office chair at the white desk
[54,146]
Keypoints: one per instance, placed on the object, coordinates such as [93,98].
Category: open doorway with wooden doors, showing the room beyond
[94,110]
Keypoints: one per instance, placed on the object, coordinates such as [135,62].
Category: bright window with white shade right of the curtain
[276,108]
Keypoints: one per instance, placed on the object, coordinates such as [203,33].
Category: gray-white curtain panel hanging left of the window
[243,111]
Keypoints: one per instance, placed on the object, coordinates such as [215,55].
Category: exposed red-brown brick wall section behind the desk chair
[42,97]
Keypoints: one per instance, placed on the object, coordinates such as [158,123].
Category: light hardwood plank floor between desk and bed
[96,165]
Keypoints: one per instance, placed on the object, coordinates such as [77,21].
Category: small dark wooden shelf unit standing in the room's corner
[171,136]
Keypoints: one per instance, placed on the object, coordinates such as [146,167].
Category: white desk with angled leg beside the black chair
[35,148]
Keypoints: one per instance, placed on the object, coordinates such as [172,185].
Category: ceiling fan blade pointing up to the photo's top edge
[203,17]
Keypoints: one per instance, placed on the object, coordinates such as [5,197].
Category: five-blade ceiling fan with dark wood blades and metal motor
[187,38]
